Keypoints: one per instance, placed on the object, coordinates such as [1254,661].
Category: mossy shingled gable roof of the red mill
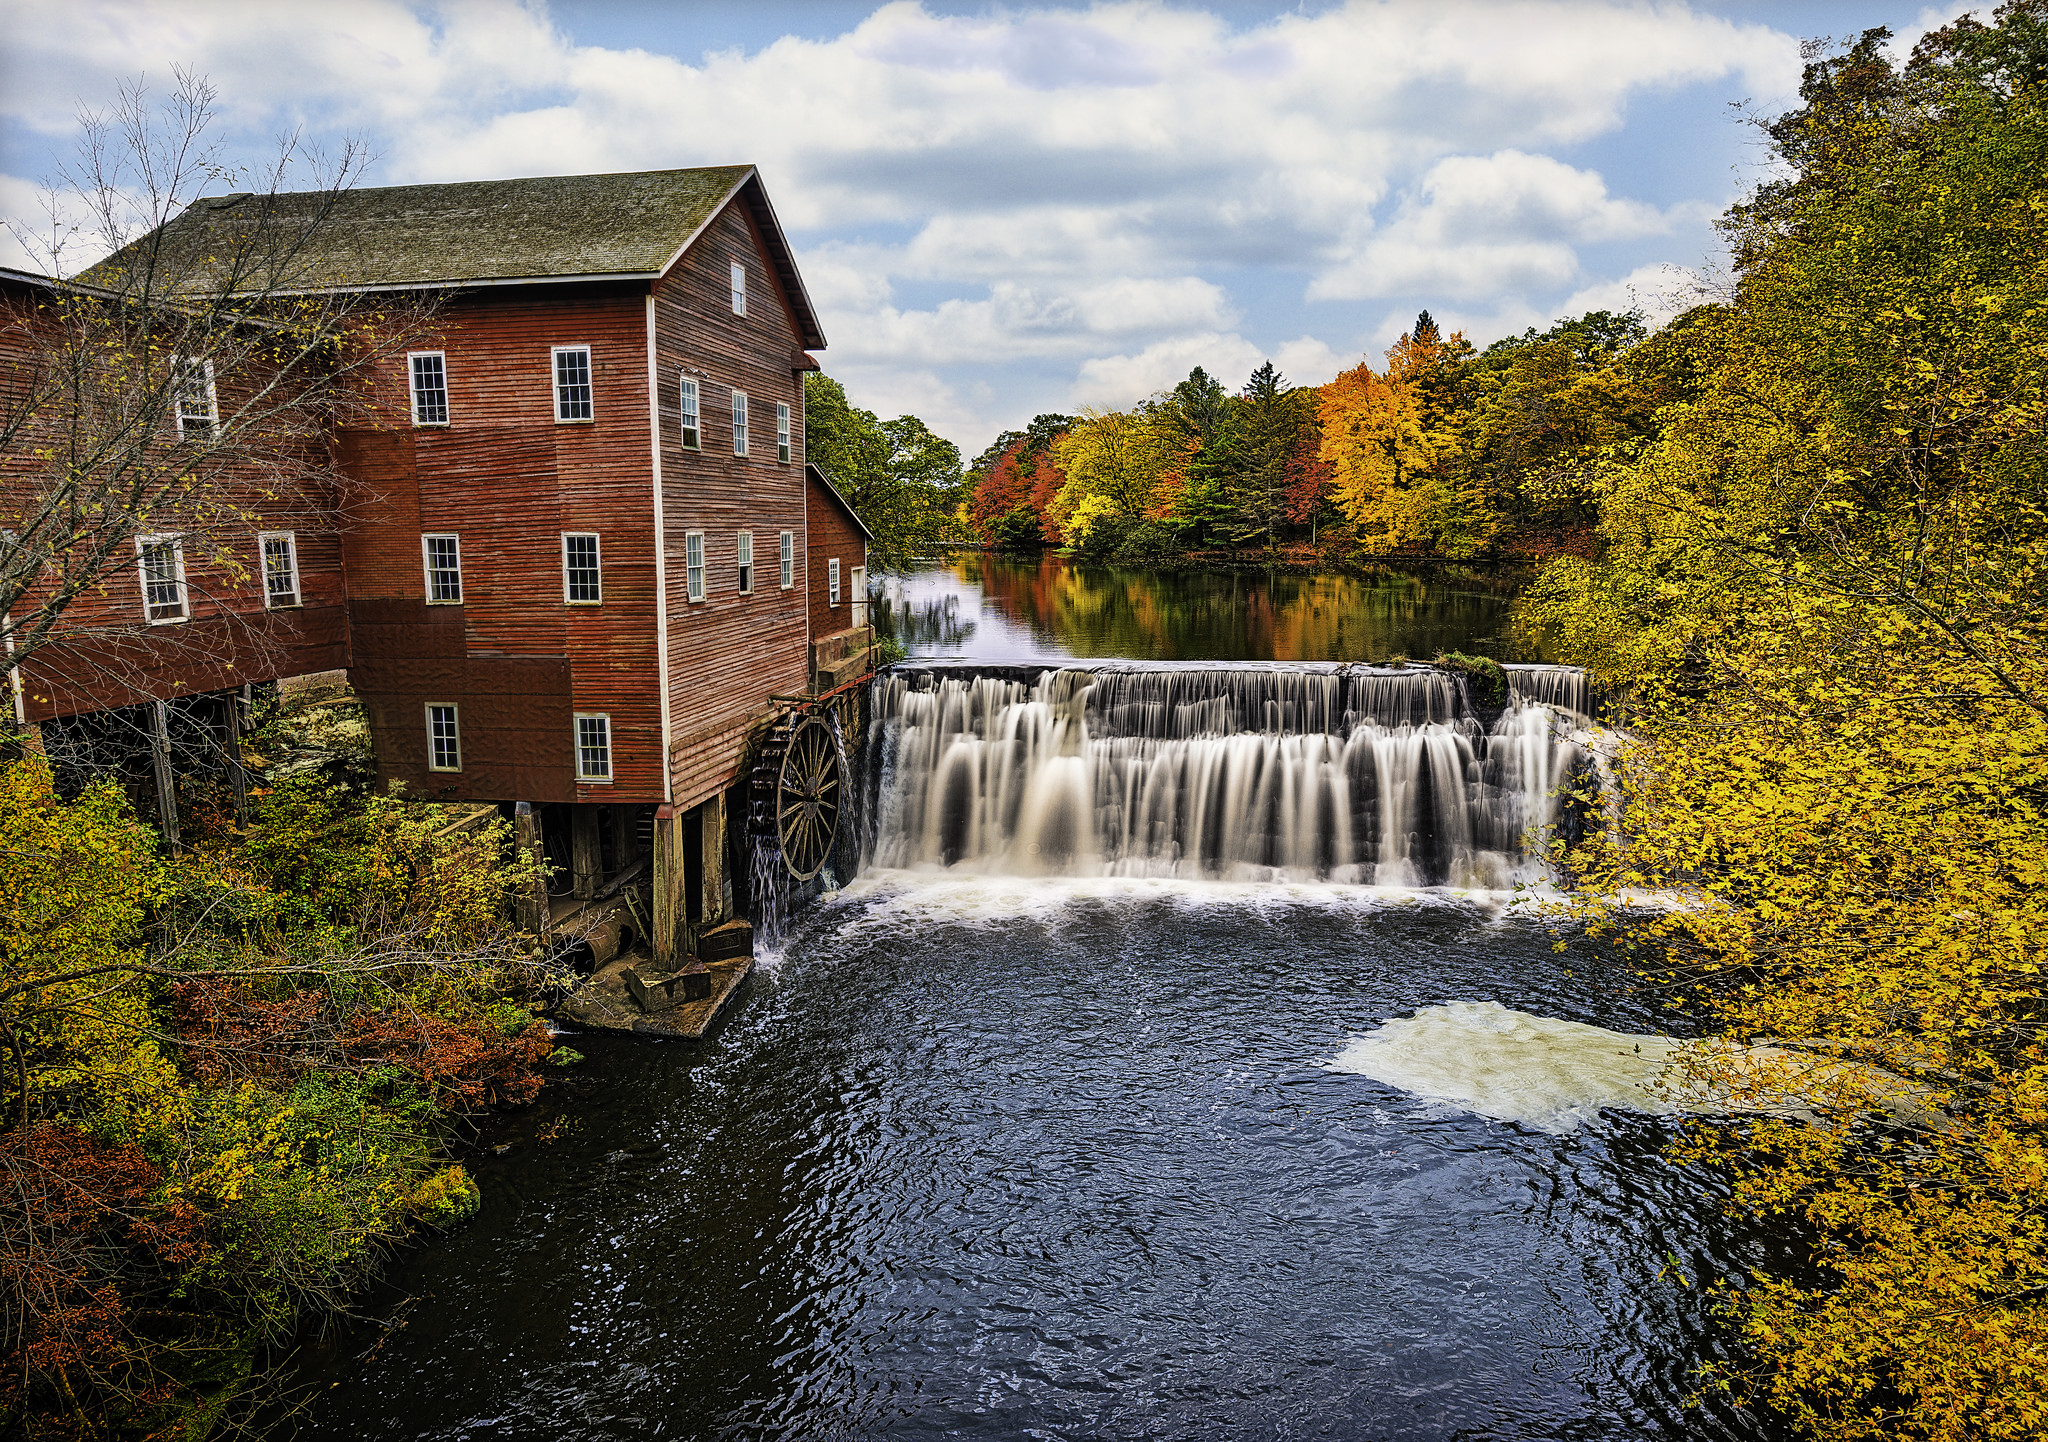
[490,232]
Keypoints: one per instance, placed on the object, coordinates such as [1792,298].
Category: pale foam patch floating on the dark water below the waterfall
[1514,1066]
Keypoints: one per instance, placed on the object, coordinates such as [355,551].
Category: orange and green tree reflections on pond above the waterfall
[1248,616]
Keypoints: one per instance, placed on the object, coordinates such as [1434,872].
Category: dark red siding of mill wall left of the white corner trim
[509,480]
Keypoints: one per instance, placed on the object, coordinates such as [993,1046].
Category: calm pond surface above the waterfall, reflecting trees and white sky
[1043,609]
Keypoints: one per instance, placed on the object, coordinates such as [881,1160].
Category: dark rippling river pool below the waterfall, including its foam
[1089,1158]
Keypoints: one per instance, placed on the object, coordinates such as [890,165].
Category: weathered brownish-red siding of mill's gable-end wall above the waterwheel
[728,652]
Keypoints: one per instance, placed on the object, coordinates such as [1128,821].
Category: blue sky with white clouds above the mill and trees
[1011,210]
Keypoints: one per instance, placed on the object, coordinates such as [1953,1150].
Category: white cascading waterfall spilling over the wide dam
[1287,773]
